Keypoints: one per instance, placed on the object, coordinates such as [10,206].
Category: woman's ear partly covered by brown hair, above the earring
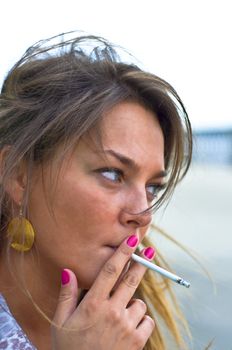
[15,183]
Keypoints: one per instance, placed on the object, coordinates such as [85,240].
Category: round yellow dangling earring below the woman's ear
[21,233]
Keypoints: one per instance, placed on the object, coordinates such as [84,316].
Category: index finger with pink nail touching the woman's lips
[112,269]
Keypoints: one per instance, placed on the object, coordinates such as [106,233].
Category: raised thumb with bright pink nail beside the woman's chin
[67,301]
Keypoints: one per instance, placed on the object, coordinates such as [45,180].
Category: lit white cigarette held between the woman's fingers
[160,270]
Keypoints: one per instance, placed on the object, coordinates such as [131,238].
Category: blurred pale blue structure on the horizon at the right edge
[213,146]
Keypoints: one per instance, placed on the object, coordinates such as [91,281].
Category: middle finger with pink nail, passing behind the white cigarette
[131,280]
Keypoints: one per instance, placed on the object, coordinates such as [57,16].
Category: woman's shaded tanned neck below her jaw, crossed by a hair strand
[31,290]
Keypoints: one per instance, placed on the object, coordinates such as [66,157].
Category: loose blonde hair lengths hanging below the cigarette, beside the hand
[157,292]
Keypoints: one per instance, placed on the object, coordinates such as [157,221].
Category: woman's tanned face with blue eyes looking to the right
[97,193]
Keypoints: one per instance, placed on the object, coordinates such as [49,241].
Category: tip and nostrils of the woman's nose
[135,213]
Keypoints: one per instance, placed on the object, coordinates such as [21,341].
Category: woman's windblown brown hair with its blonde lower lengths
[57,93]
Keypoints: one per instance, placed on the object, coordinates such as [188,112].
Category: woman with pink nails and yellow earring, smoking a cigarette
[90,146]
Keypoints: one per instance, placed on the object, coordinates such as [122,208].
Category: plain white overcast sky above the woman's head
[188,43]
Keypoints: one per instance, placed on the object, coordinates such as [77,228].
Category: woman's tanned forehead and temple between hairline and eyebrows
[127,129]
